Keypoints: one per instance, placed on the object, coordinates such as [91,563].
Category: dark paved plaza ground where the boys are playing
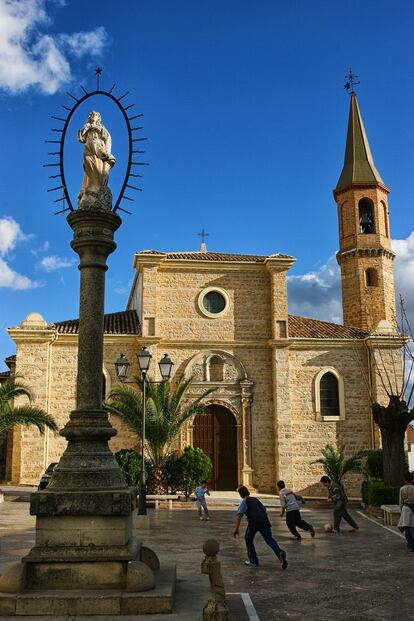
[364,576]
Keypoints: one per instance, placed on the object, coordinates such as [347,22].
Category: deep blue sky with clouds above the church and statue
[245,114]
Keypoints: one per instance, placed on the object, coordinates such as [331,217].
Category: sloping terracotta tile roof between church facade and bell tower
[306,328]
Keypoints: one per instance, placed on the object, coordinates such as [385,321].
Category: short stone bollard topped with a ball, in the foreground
[216,607]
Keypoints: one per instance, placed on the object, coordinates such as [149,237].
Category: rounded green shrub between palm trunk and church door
[189,469]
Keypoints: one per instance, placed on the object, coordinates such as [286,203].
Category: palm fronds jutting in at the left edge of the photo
[26,415]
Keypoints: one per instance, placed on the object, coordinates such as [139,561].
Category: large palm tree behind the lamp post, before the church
[166,412]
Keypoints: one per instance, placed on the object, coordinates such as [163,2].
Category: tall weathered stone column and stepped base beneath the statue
[84,549]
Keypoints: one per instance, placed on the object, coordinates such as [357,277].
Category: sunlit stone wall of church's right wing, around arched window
[309,434]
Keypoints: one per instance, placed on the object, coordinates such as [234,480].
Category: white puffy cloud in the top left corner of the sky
[29,58]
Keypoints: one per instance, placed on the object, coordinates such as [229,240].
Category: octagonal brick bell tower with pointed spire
[365,256]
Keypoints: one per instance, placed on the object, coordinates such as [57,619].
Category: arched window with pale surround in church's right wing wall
[329,395]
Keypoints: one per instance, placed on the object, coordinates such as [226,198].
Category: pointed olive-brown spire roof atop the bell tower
[359,165]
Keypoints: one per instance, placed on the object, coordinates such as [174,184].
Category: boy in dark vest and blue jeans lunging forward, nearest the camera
[257,521]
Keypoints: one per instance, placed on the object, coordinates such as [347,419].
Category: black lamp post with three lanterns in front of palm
[122,366]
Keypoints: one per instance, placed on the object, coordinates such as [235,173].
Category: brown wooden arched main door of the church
[215,433]
